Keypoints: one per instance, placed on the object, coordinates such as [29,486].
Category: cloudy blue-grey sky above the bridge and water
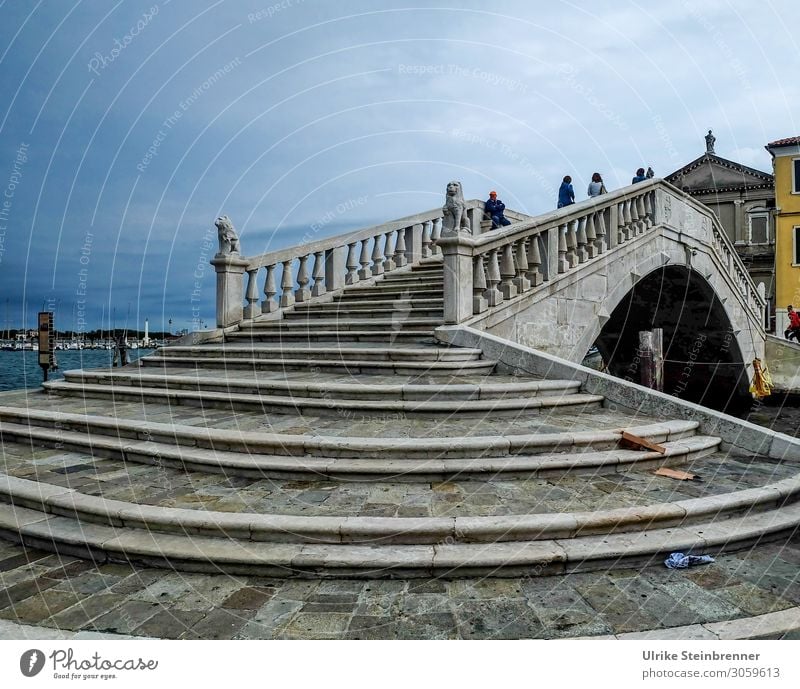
[127,127]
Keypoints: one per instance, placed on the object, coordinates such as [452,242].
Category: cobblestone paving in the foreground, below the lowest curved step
[45,590]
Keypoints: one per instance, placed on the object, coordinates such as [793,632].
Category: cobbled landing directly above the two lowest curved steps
[166,487]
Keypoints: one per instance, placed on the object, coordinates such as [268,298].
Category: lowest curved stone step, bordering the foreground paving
[557,555]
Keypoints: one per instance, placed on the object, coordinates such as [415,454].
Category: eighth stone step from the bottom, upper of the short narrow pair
[344,352]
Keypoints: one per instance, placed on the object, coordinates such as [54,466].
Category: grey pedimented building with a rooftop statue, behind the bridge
[743,199]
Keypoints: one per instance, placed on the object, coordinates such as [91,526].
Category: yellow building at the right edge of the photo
[786,165]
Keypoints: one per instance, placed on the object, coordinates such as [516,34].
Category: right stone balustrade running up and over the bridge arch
[484,272]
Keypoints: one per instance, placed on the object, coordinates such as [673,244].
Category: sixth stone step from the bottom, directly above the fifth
[364,389]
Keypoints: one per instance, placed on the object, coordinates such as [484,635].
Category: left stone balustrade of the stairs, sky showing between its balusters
[346,259]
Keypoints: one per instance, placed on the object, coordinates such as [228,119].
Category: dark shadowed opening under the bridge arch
[703,360]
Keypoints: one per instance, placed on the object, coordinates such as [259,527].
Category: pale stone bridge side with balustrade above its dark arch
[597,272]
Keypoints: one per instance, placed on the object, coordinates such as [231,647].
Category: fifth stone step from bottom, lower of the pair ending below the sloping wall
[327,406]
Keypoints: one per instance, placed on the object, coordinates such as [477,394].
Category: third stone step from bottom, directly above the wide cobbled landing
[583,461]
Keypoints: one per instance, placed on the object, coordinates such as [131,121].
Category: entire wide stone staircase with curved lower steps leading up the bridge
[342,440]
